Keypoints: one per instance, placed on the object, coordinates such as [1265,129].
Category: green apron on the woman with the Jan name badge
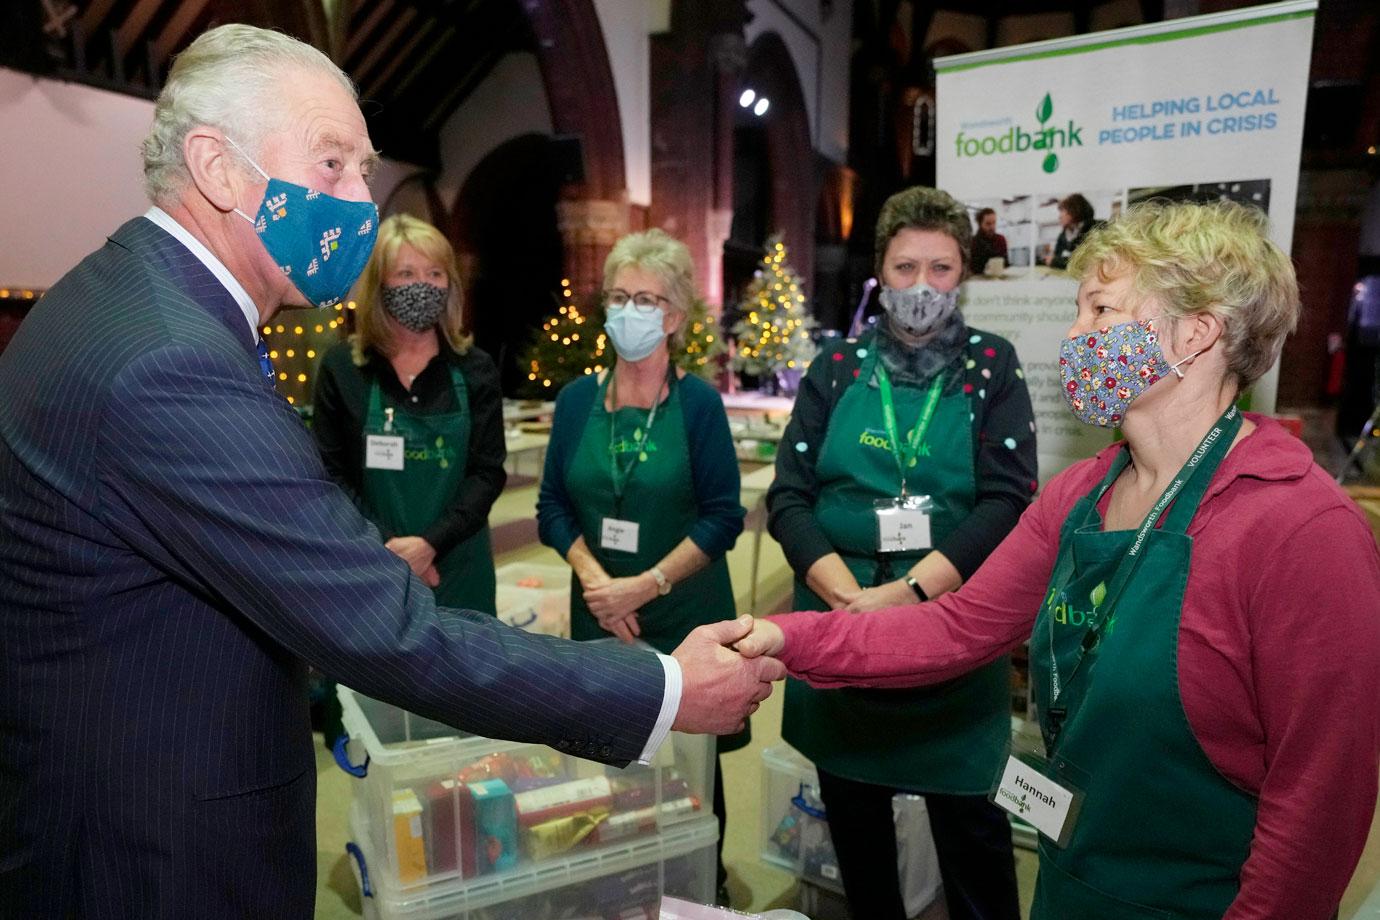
[947,739]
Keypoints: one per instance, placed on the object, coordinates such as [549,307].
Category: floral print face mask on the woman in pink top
[1106,370]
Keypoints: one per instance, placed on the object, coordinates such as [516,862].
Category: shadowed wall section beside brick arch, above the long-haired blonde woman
[509,104]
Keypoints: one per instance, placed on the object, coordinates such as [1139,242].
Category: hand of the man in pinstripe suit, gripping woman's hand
[721,688]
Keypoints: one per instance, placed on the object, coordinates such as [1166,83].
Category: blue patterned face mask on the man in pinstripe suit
[321,242]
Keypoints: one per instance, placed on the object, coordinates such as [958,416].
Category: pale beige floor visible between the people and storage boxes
[753,885]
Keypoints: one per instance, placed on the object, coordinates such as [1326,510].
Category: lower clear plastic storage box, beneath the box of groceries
[626,882]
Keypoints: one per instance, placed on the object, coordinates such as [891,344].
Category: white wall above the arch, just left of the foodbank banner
[822,63]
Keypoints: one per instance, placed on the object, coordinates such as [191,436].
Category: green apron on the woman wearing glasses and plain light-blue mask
[659,496]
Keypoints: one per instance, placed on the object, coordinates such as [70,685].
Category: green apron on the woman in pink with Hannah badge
[1161,834]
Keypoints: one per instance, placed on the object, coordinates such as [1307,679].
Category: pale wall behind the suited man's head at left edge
[70,173]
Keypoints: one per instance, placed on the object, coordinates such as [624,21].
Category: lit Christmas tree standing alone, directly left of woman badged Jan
[775,332]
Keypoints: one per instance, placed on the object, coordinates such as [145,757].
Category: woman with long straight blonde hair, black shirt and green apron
[409,416]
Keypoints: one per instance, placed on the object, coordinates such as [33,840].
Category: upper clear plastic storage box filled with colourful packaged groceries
[440,806]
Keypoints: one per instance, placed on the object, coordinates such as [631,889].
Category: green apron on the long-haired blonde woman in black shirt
[406,503]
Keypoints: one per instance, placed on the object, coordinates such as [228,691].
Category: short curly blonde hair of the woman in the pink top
[1204,259]
